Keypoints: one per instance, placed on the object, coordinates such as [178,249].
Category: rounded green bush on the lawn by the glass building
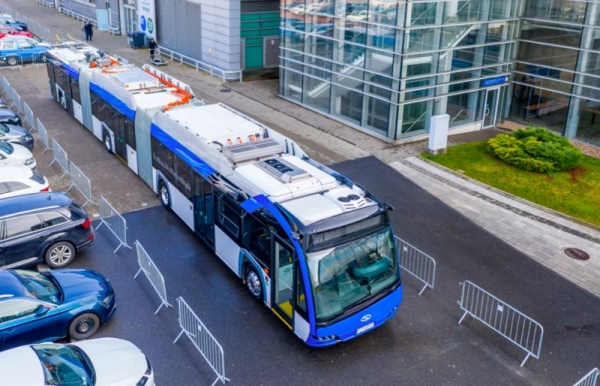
[535,149]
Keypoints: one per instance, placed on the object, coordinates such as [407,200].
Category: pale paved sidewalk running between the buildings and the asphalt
[537,232]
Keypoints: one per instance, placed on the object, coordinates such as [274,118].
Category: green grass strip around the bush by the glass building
[575,192]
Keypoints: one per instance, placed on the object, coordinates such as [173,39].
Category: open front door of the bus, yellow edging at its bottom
[282,297]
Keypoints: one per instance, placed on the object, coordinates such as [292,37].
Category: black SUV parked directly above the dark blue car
[38,227]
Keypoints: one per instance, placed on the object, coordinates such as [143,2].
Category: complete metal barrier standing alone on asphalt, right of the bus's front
[506,320]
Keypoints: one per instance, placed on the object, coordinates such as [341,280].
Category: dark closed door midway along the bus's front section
[203,200]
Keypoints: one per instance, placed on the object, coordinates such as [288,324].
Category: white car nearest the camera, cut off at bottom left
[93,362]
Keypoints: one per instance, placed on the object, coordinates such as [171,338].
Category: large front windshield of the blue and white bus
[351,273]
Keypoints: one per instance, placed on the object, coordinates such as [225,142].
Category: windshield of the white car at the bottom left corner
[65,365]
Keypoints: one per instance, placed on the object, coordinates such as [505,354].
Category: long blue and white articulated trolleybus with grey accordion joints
[315,247]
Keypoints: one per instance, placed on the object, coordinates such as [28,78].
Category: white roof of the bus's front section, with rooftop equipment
[258,160]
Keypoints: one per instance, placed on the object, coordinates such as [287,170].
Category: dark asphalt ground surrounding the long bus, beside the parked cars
[423,344]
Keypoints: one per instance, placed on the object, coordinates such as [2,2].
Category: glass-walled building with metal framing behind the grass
[387,66]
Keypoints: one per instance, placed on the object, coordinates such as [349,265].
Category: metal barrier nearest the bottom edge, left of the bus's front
[204,341]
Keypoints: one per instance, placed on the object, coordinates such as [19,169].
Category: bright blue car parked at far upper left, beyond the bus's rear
[18,49]
